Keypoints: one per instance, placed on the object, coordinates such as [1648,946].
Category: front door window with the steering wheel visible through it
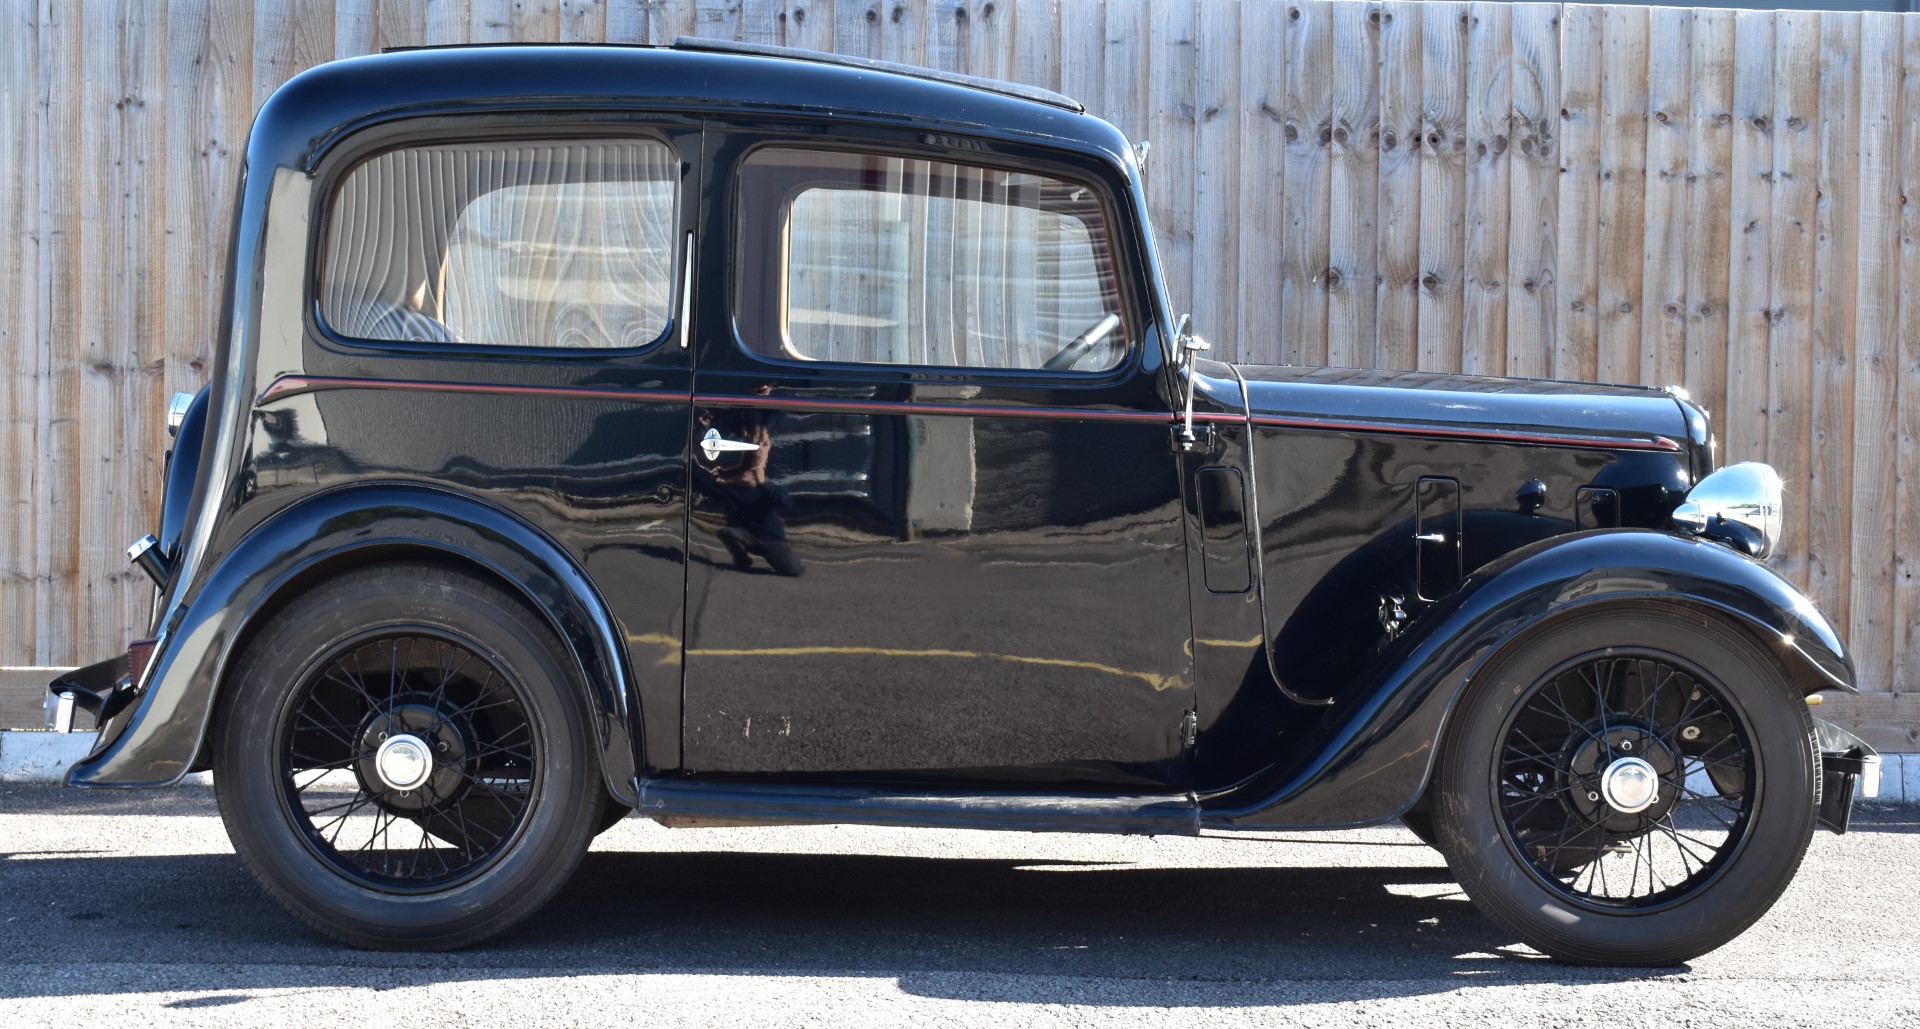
[865,258]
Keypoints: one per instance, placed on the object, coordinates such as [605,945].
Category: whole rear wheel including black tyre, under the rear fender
[500,821]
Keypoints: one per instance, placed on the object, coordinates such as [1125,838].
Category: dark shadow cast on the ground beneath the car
[957,928]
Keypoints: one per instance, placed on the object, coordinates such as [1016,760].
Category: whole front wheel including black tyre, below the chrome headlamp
[1524,826]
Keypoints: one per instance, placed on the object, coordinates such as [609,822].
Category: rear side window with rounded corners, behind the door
[531,245]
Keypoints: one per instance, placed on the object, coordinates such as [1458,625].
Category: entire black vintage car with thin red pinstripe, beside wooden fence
[756,437]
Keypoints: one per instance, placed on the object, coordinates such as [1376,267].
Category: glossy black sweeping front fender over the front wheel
[1370,757]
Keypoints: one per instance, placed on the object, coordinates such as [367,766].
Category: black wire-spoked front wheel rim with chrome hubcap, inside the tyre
[1625,780]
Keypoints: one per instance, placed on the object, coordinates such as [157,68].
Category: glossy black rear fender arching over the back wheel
[156,740]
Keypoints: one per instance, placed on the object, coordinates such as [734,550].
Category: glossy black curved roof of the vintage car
[325,103]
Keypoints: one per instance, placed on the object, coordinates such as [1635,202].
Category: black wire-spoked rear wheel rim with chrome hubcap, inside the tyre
[408,759]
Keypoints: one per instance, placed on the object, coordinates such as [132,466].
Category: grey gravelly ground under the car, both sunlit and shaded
[130,907]
